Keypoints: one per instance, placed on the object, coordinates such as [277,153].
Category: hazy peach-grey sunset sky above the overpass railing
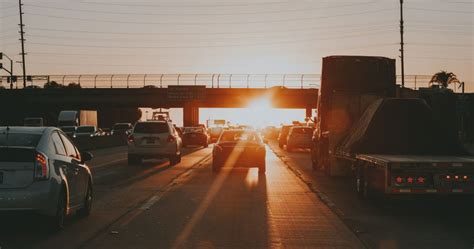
[235,36]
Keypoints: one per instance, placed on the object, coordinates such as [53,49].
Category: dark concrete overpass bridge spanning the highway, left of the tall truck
[188,97]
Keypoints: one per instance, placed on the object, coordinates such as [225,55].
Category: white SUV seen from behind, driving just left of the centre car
[154,139]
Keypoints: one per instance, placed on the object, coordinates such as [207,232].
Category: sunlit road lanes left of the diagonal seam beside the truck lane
[187,206]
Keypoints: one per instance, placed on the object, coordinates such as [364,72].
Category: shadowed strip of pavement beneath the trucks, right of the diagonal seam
[416,222]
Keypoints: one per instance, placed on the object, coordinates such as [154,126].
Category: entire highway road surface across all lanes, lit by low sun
[155,205]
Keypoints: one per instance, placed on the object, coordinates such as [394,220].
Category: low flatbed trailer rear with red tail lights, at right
[413,174]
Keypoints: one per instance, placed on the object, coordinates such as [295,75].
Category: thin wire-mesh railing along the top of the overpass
[303,81]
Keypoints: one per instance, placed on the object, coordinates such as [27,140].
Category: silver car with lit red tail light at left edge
[41,170]
